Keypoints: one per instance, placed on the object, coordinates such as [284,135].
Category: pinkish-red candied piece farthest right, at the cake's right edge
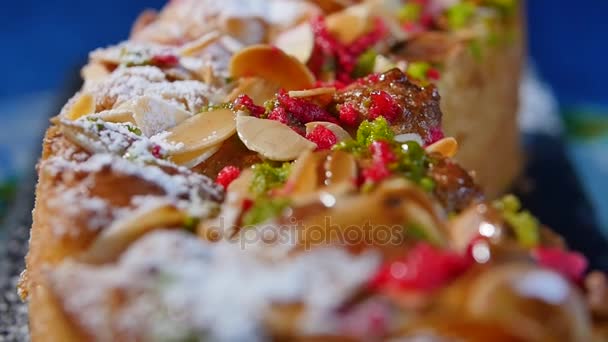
[571,265]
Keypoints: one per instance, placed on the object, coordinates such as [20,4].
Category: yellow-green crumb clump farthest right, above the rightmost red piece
[523,223]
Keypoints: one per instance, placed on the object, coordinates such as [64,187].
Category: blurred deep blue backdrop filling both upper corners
[43,40]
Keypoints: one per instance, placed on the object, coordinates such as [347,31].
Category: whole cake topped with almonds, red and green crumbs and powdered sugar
[278,170]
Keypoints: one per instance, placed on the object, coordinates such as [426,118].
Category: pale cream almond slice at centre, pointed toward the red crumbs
[271,139]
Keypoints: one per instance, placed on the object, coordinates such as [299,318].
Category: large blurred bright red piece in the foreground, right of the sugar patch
[424,268]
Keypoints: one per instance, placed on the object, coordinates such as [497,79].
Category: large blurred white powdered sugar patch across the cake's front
[191,288]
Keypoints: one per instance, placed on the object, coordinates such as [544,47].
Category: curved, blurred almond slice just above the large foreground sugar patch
[116,238]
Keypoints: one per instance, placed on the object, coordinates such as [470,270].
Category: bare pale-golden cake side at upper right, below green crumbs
[480,102]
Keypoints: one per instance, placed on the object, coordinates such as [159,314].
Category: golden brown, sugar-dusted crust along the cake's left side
[73,205]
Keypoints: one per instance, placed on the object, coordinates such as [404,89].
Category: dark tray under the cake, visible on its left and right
[549,188]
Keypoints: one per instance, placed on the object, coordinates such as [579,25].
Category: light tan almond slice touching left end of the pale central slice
[203,130]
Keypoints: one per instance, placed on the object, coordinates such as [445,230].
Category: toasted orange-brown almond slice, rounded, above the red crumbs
[272,64]
